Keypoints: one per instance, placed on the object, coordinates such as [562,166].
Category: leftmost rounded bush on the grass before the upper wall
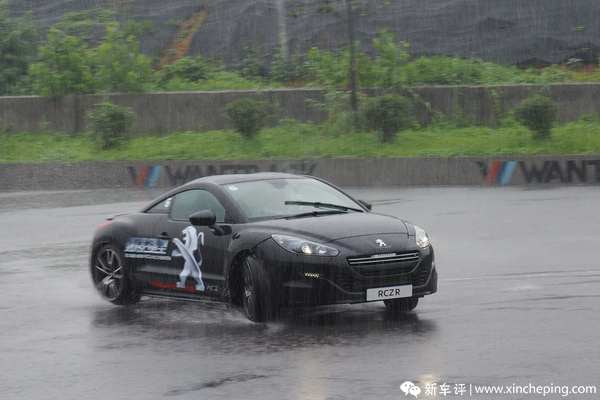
[109,124]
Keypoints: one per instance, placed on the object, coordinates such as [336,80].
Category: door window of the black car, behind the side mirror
[191,201]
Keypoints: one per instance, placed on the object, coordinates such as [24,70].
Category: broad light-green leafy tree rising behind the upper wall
[75,64]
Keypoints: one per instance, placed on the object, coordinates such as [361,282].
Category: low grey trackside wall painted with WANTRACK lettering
[371,172]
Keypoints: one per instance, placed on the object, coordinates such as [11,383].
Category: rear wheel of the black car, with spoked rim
[110,277]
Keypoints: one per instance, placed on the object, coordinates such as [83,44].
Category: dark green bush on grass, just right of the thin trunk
[388,114]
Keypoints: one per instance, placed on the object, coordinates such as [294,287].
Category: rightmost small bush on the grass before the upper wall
[538,114]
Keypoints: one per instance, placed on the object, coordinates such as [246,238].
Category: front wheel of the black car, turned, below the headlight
[255,291]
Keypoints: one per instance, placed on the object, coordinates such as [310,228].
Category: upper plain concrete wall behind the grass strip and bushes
[181,111]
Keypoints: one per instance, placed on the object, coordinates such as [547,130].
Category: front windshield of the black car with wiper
[288,198]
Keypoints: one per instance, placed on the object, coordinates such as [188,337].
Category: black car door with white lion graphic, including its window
[197,254]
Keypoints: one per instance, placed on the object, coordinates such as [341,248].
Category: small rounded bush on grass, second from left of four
[247,116]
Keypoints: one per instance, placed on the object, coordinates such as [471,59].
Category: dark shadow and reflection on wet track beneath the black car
[225,327]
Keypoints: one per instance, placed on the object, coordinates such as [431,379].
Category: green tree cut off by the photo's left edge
[16,47]
